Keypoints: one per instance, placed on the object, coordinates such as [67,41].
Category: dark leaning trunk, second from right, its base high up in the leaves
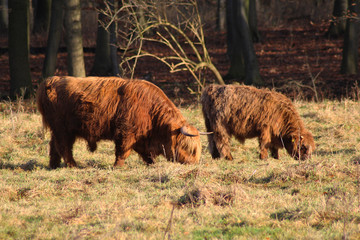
[338,24]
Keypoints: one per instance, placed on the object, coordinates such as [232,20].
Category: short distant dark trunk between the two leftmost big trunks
[42,16]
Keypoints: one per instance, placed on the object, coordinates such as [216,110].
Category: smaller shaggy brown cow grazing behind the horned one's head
[247,112]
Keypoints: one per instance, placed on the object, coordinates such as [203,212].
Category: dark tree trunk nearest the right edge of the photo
[349,64]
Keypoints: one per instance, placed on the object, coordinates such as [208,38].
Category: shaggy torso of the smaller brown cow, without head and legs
[246,110]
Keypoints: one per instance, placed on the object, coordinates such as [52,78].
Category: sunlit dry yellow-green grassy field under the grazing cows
[217,199]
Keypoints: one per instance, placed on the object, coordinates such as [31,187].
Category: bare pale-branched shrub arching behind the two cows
[175,25]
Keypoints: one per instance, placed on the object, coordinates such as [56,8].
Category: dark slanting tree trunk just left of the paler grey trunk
[54,36]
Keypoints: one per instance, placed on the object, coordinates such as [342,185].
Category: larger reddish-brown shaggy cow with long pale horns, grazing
[135,114]
